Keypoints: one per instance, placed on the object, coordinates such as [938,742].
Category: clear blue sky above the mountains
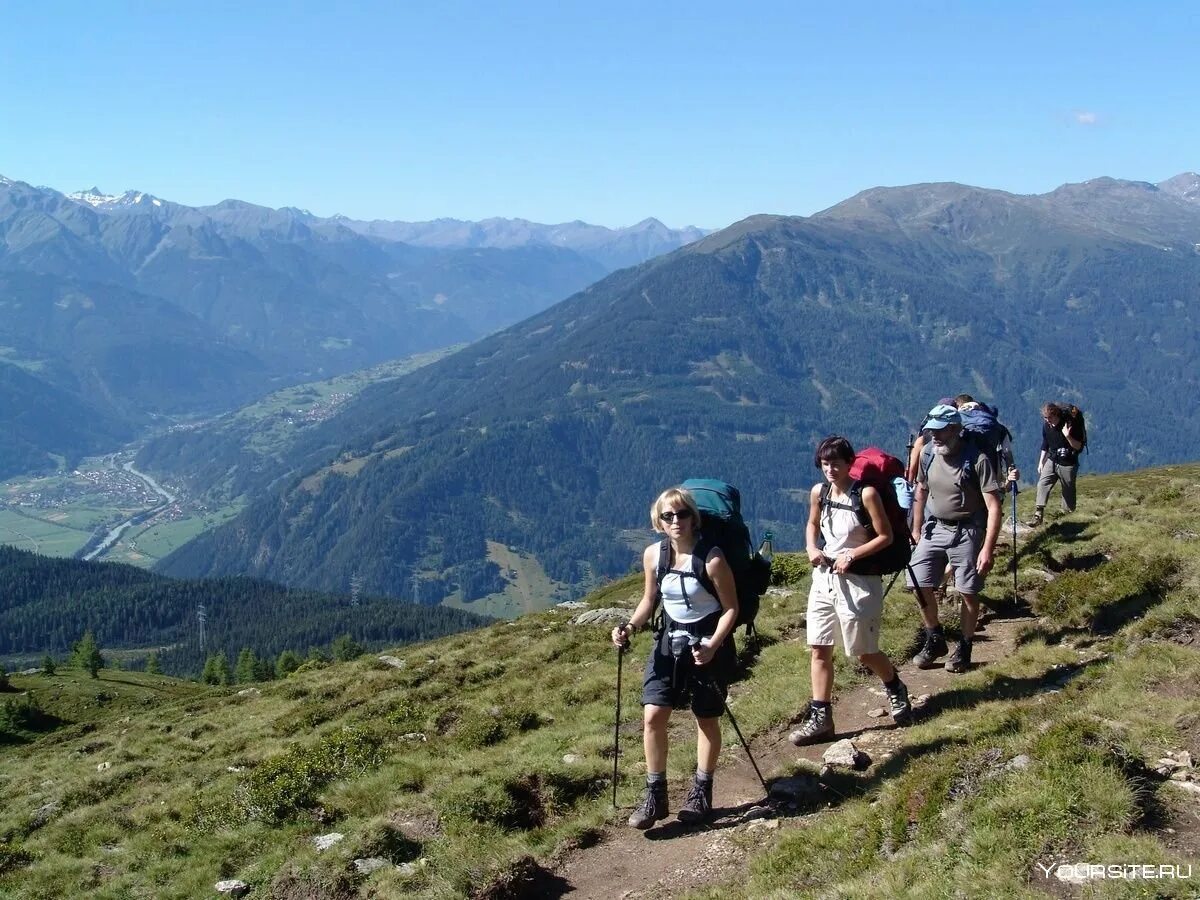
[698,113]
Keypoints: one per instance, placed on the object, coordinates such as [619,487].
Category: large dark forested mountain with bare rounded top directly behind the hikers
[731,358]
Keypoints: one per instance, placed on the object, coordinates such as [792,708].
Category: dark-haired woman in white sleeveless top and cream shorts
[843,604]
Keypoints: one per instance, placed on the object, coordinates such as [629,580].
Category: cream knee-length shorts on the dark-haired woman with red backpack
[850,607]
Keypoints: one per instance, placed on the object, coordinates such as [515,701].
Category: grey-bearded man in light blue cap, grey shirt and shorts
[958,488]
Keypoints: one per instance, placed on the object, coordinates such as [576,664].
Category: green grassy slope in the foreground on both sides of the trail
[206,784]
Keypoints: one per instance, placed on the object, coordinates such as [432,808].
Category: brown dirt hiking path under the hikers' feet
[627,865]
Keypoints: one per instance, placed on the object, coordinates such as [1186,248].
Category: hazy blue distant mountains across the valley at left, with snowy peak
[123,308]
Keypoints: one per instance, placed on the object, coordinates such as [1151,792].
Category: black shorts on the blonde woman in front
[680,683]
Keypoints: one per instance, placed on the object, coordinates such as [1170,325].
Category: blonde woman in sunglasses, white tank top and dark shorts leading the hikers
[693,657]
